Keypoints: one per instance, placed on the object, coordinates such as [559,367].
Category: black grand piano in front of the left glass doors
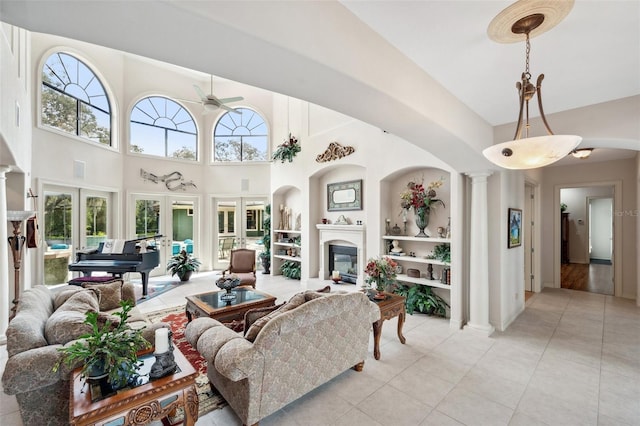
[130,260]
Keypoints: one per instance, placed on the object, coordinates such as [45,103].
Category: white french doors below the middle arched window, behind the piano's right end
[173,217]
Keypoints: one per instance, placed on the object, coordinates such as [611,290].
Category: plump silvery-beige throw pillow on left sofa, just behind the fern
[67,322]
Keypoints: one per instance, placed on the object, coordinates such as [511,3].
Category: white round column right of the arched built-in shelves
[479,255]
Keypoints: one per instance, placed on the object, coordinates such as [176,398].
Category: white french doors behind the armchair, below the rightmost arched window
[238,224]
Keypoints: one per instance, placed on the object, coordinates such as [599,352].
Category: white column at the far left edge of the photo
[4,257]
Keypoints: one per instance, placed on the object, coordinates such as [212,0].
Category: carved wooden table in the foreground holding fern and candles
[142,404]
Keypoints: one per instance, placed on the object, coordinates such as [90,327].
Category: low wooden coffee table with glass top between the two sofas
[211,304]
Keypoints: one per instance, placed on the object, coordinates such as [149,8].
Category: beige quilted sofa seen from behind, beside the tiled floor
[296,348]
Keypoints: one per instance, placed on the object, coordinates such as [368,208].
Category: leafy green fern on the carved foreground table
[110,348]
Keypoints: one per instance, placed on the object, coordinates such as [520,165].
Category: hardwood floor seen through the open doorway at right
[594,278]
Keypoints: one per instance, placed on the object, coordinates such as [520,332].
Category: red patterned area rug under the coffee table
[209,400]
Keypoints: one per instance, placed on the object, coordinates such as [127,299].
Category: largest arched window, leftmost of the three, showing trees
[74,99]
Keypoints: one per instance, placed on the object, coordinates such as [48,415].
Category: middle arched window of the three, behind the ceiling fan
[161,127]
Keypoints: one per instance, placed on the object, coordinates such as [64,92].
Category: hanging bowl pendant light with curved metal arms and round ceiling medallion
[529,18]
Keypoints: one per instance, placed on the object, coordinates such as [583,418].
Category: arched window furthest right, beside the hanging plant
[240,137]
